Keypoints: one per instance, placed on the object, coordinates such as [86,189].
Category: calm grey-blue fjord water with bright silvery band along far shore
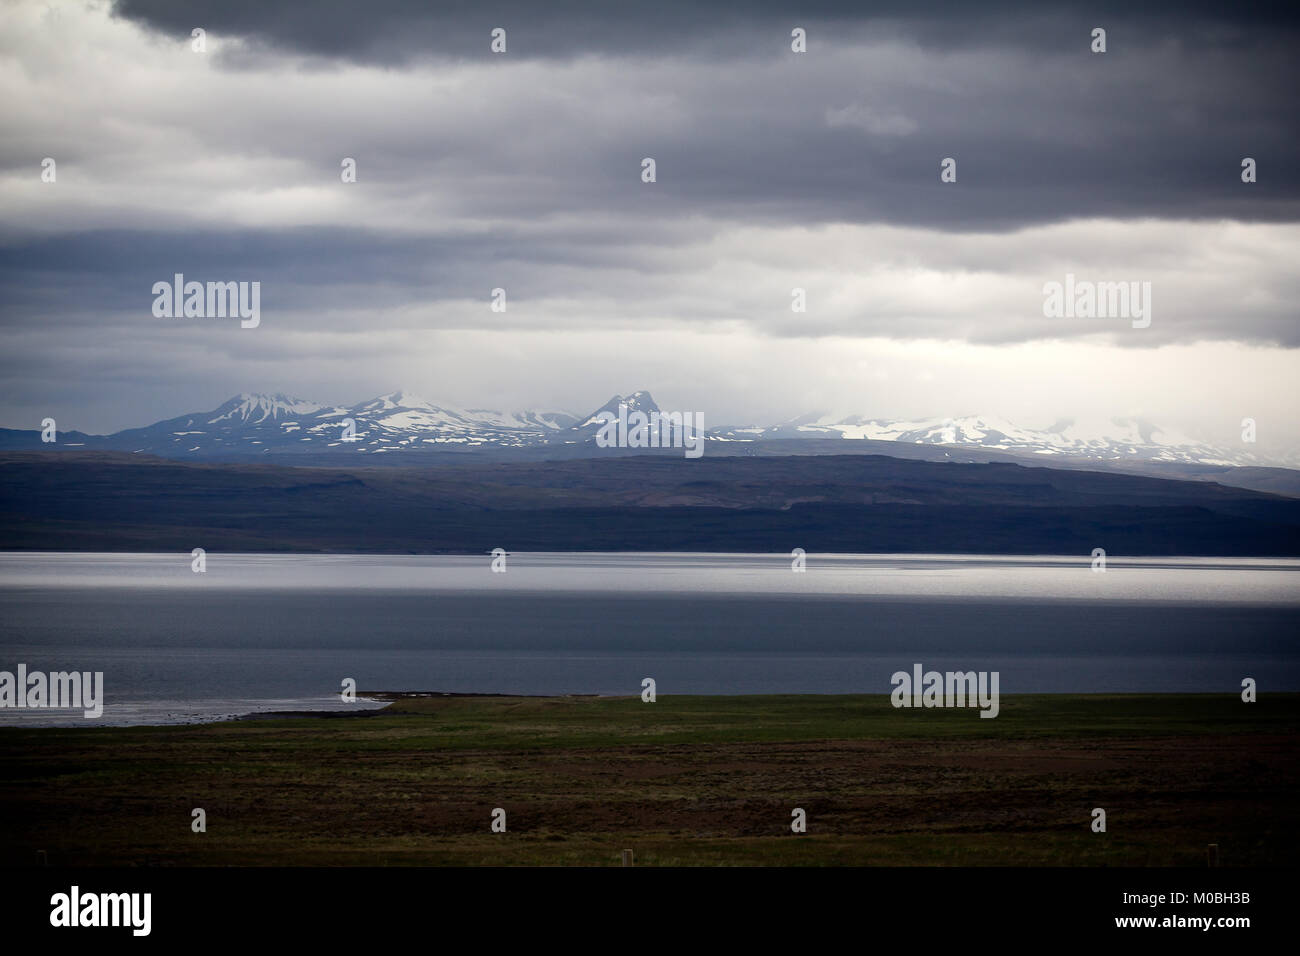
[259,633]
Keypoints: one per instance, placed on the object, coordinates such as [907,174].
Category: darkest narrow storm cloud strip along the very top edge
[393,31]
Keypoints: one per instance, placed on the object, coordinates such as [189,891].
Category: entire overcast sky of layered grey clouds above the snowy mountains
[775,171]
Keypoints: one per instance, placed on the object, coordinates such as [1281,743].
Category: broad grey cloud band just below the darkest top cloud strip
[856,136]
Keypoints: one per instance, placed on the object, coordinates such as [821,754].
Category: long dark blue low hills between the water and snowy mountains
[848,504]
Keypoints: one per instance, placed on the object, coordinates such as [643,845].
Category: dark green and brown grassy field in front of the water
[683,781]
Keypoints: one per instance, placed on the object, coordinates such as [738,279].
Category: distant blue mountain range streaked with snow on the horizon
[401,422]
